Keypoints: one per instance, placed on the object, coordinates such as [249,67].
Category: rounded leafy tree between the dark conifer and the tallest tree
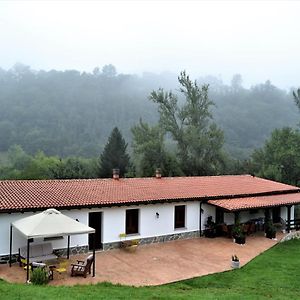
[149,148]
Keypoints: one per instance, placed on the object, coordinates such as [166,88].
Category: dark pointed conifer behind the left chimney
[114,155]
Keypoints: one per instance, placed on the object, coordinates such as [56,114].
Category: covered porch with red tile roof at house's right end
[257,212]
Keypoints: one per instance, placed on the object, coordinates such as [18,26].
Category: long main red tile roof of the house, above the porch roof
[40,194]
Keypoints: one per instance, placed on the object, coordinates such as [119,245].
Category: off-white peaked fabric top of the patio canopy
[48,223]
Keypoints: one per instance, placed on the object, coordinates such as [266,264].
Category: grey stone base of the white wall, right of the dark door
[157,239]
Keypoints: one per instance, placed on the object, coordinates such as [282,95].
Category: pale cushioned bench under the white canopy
[37,253]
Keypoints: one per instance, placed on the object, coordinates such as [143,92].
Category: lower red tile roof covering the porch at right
[245,203]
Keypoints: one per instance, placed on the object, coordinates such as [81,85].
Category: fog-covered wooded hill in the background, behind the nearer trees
[71,113]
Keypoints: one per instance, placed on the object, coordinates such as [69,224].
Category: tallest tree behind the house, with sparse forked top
[199,140]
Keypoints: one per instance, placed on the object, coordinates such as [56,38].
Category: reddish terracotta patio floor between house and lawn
[159,263]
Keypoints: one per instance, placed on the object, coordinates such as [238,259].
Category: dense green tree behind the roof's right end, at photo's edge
[279,159]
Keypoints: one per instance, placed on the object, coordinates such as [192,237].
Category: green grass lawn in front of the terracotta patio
[272,275]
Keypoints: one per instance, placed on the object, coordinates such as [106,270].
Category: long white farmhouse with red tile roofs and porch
[150,209]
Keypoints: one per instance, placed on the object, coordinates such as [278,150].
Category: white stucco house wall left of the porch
[113,223]
